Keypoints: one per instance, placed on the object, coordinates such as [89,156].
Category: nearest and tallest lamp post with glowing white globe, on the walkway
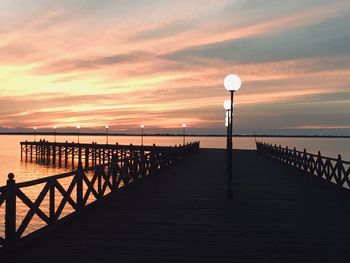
[232,83]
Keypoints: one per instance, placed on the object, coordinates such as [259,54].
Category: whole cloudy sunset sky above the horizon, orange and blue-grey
[162,63]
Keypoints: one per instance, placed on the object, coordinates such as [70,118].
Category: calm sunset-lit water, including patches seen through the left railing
[10,160]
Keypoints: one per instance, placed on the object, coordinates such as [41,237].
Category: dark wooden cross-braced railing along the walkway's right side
[333,170]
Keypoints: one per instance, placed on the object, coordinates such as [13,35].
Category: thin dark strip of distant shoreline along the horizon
[175,135]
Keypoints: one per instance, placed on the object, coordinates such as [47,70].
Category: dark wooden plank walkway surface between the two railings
[278,215]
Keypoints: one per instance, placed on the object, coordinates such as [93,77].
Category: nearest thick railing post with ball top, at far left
[10,210]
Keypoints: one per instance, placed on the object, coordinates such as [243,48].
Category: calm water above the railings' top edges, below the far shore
[10,149]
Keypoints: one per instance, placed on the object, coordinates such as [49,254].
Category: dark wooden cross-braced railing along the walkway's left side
[70,193]
